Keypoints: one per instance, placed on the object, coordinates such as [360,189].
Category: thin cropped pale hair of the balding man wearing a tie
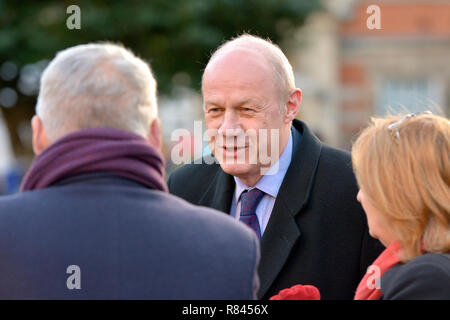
[275,56]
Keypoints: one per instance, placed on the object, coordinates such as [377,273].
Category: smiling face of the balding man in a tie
[241,97]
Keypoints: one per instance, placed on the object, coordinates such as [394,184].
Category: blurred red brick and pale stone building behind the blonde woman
[349,72]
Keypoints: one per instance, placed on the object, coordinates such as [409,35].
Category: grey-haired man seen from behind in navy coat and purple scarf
[94,219]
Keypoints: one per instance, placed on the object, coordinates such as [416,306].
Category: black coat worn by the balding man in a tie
[317,233]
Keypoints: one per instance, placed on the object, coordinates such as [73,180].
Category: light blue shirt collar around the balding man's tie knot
[270,183]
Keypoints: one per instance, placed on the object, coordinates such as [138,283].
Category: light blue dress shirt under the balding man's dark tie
[269,183]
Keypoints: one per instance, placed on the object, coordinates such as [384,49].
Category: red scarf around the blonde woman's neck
[368,288]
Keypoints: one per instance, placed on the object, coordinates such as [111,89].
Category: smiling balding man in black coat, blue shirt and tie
[302,204]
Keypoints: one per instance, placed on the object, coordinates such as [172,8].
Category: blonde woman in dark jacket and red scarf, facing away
[403,169]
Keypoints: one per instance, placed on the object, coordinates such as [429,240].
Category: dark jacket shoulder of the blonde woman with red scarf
[424,278]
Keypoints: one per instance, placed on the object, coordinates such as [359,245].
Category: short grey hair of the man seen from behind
[97,85]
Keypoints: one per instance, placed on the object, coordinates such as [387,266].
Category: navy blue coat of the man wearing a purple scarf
[128,241]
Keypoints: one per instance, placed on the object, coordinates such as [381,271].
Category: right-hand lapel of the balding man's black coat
[282,231]
